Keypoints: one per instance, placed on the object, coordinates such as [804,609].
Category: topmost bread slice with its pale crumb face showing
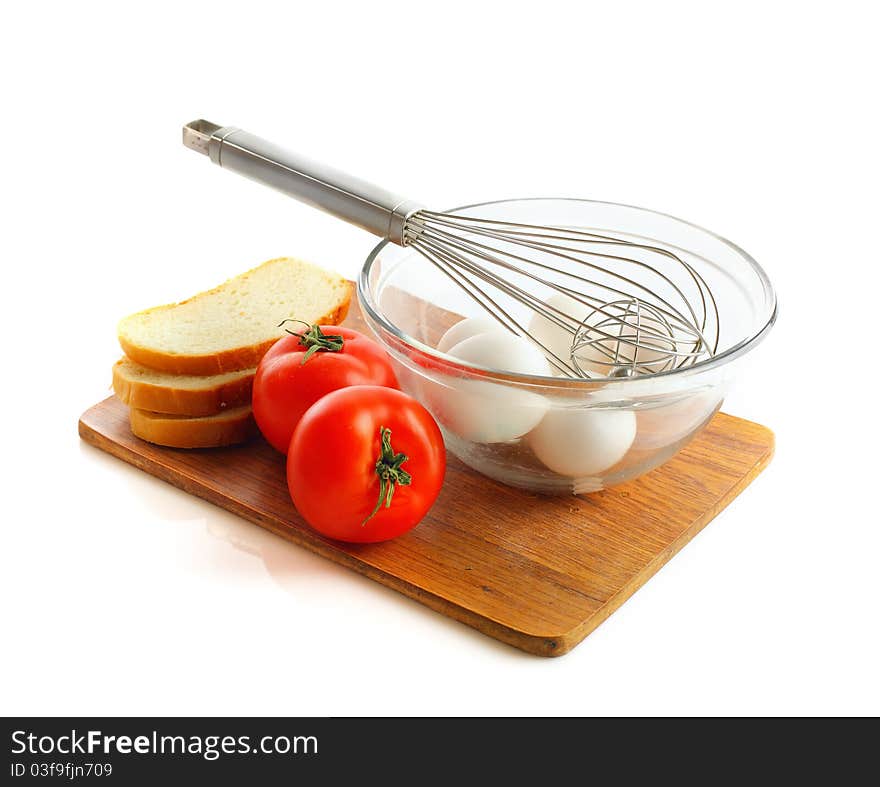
[231,327]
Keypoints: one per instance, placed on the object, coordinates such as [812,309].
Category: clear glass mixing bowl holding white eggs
[551,434]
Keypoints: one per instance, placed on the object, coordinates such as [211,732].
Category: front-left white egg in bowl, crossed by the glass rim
[490,412]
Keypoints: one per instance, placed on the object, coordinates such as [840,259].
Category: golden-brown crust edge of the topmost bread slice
[232,360]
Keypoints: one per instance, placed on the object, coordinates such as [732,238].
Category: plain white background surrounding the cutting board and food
[122,595]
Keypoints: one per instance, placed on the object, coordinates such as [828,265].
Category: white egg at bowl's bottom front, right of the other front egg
[582,442]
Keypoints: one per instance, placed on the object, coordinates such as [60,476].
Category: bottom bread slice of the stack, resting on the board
[177,431]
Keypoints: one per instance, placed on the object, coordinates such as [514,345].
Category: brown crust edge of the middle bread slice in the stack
[145,395]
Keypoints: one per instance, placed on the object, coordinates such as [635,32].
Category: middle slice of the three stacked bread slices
[192,395]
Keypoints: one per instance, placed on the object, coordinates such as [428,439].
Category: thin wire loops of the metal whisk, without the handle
[628,326]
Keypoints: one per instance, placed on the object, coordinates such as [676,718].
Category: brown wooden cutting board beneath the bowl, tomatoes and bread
[539,573]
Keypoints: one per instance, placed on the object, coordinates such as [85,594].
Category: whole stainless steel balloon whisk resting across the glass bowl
[596,305]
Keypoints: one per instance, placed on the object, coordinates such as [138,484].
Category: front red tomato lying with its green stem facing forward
[365,464]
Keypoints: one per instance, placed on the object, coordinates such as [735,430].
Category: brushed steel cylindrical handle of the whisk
[349,198]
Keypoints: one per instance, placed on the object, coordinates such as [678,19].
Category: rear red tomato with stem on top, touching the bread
[289,379]
